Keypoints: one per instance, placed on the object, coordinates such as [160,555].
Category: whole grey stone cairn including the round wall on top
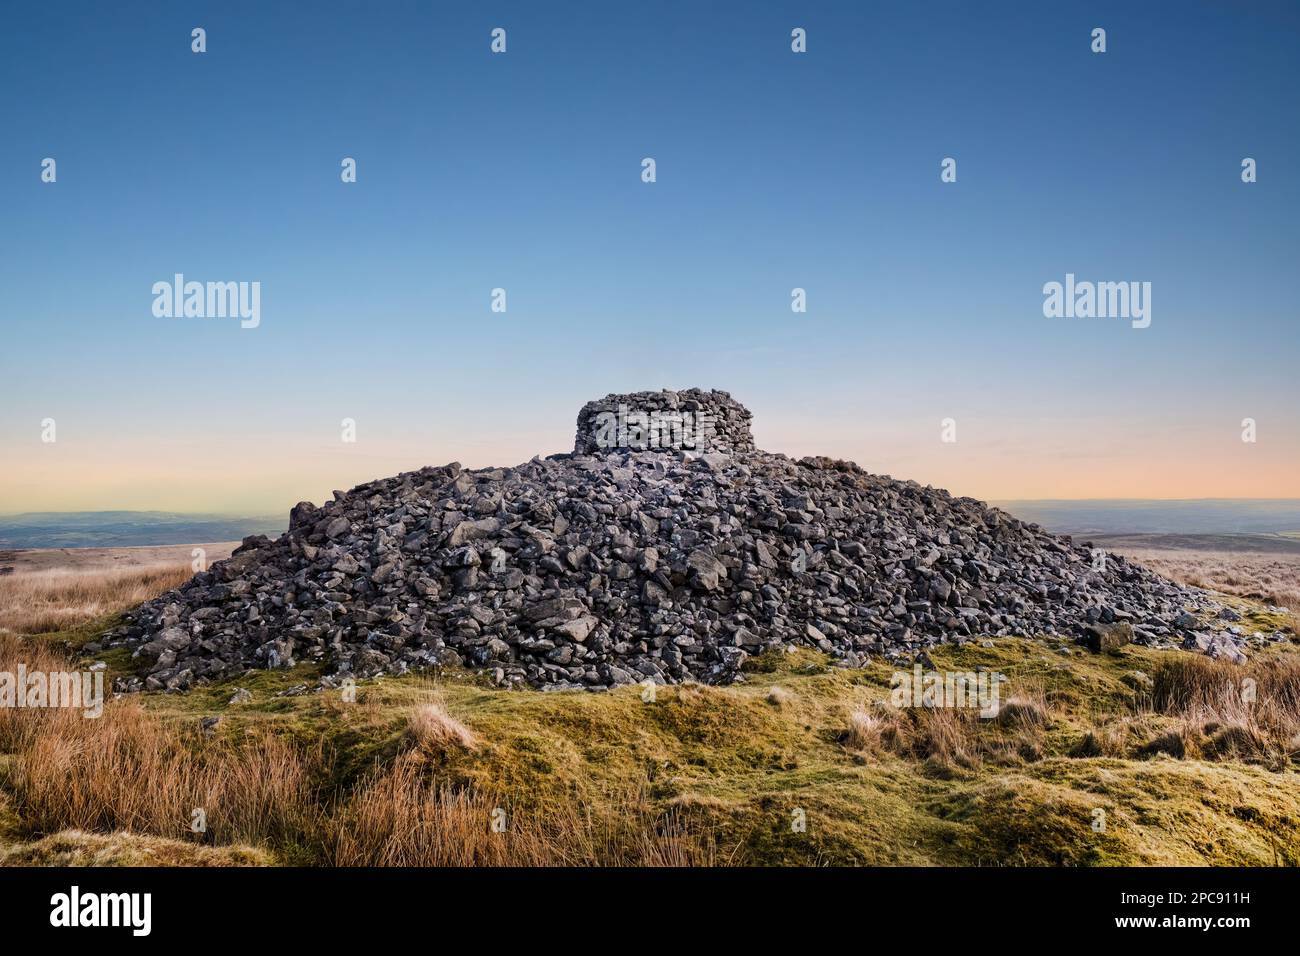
[666,547]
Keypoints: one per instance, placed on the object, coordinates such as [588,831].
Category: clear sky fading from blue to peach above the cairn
[523,171]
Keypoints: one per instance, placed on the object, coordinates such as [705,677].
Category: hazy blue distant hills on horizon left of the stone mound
[128,529]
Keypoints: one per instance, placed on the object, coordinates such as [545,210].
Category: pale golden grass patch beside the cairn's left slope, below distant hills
[57,600]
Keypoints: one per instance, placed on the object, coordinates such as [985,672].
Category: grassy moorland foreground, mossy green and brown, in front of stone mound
[1142,758]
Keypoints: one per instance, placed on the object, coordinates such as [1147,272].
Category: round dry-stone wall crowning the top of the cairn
[688,421]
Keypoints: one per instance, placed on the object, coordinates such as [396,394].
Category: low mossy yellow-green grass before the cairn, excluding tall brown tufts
[735,764]
